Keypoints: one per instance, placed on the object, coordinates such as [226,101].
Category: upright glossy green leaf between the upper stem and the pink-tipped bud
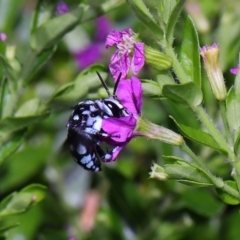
[189,54]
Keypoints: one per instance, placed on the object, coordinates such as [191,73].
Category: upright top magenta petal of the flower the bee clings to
[129,93]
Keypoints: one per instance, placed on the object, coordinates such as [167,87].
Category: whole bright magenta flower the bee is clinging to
[129,93]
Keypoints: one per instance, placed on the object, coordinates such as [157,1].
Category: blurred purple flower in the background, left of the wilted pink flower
[94,51]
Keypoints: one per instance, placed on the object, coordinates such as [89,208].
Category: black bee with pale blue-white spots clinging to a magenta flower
[85,129]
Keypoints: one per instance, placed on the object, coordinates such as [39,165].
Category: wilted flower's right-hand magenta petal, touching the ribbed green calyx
[138,58]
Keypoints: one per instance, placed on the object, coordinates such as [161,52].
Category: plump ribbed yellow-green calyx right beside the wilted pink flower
[157,59]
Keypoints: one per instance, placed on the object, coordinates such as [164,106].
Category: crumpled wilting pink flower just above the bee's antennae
[130,53]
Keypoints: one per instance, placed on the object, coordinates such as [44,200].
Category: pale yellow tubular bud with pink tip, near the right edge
[210,55]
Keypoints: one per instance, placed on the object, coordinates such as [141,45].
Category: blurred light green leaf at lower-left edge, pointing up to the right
[20,202]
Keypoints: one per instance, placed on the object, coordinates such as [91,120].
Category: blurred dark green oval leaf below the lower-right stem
[202,202]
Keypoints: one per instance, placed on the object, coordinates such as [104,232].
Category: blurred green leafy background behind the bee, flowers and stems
[121,202]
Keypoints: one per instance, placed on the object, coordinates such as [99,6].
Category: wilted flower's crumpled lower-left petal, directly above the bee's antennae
[119,64]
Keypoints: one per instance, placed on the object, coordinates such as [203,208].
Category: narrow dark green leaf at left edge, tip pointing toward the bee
[11,124]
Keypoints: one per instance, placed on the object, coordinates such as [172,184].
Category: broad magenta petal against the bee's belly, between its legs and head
[121,127]
